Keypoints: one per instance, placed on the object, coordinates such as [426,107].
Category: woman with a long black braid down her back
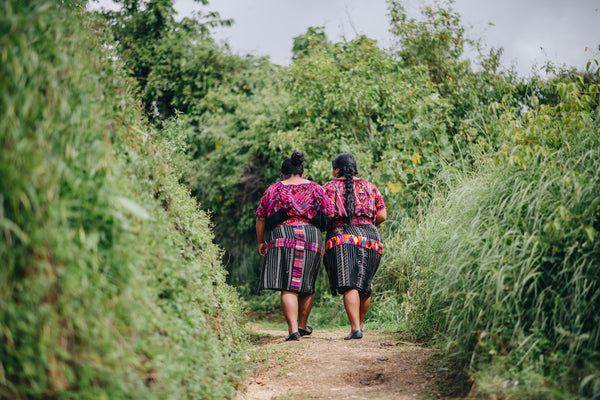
[353,246]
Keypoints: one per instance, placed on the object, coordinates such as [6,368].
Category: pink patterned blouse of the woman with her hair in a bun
[303,200]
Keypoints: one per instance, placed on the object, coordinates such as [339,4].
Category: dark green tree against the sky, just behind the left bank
[174,62]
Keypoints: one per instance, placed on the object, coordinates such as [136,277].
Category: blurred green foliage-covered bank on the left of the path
[110,284]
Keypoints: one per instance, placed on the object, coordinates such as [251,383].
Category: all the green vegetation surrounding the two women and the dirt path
[113,286]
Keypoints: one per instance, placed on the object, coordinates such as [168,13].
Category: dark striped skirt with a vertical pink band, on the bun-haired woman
[293,259]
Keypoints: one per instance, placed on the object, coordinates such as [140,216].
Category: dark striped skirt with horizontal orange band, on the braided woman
[352,256]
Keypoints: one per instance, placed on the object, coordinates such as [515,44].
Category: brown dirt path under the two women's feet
[324,366]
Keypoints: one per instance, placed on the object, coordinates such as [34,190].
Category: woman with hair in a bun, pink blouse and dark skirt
[292,256]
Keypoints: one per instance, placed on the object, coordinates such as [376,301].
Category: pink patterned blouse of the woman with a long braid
[367,201]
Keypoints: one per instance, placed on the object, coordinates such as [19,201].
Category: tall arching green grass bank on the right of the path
[505,266]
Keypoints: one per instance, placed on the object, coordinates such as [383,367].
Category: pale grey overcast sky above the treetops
[532,32]
